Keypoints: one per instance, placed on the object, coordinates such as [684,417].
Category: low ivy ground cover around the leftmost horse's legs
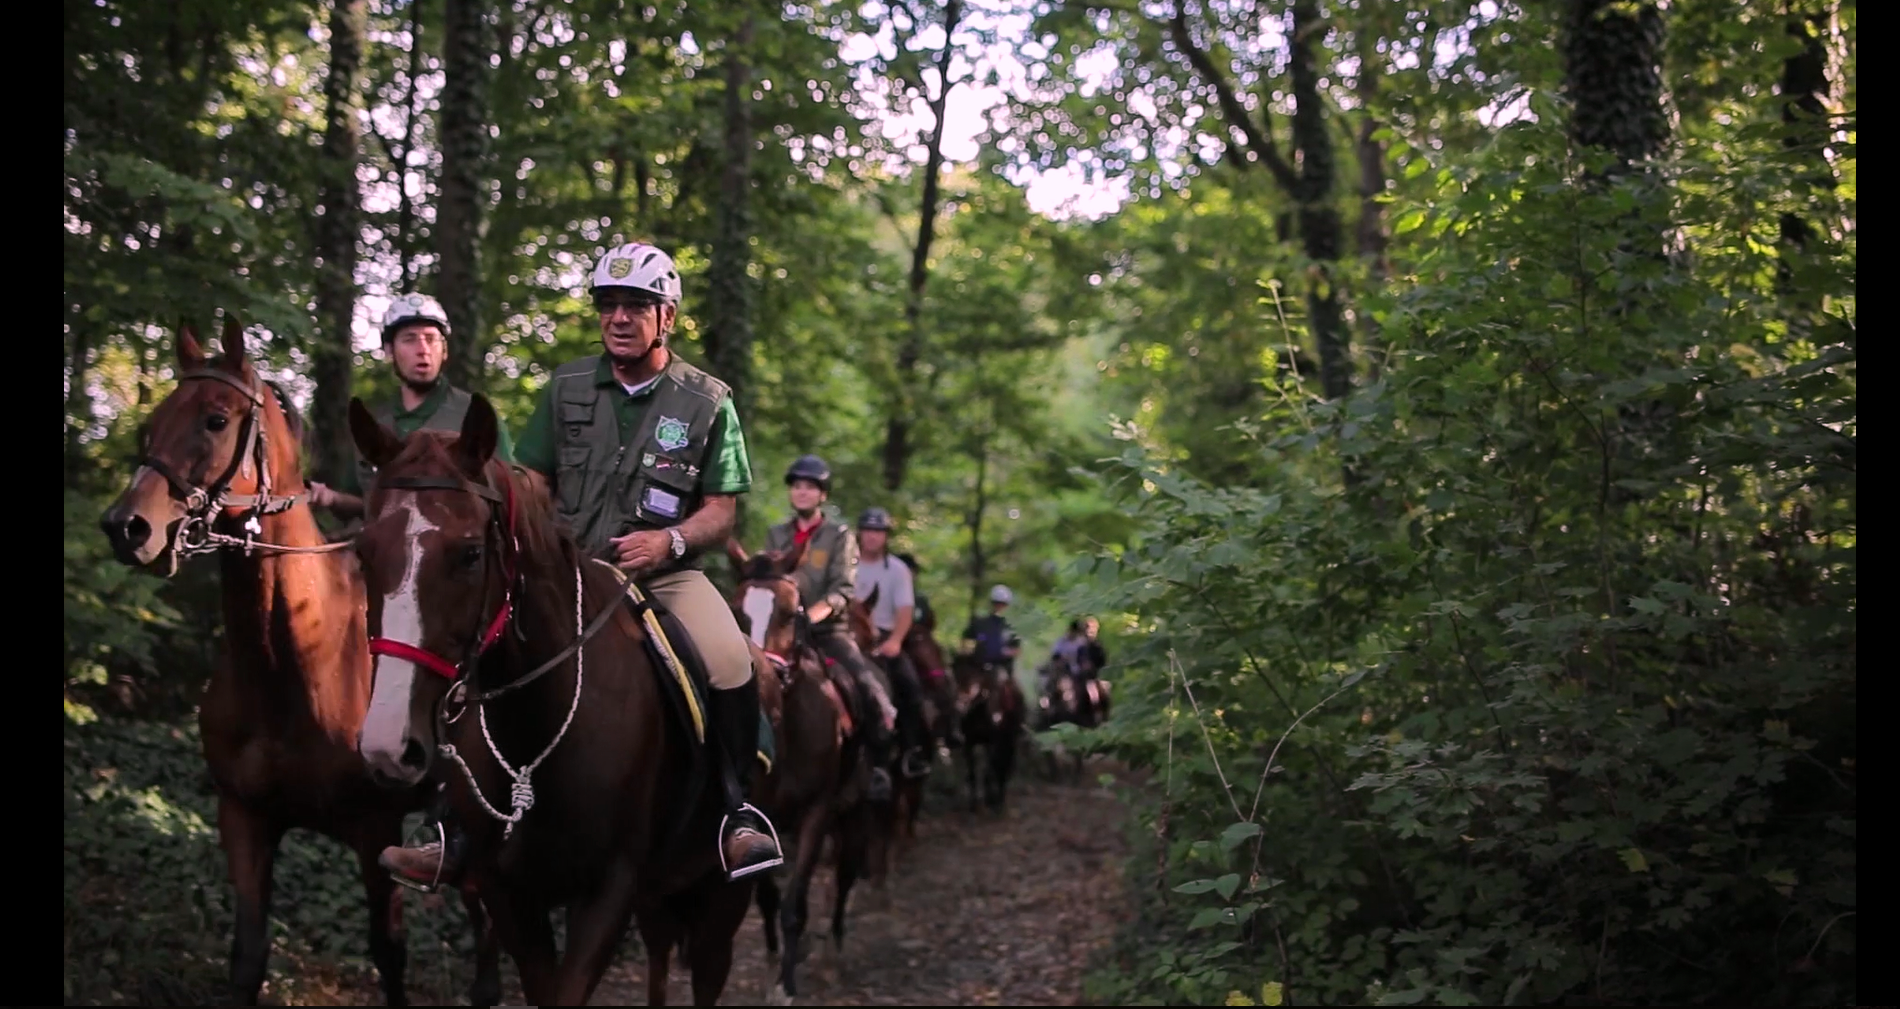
[147,904]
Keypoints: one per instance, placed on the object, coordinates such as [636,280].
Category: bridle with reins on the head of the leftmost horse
[202,506]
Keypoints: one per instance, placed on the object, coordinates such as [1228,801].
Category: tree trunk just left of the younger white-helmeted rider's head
[339,229]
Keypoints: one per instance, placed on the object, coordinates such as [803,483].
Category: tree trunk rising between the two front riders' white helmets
[465,140]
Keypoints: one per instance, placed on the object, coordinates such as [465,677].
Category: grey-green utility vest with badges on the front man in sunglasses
[607,489]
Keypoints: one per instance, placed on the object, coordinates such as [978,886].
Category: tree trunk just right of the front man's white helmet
[731,309]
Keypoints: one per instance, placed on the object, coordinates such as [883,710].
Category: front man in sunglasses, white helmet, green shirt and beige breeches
[645,463]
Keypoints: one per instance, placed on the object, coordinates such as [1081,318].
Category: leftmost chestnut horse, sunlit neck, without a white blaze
[294,679]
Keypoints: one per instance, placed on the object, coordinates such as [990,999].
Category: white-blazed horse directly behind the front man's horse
[818,782]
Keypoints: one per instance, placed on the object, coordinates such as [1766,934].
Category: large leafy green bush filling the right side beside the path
[1551,700]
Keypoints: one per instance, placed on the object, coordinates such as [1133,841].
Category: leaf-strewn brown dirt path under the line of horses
[981,911]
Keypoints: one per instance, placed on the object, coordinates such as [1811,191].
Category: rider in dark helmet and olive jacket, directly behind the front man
[827,582]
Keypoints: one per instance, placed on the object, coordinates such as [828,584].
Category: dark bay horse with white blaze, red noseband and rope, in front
[518,660]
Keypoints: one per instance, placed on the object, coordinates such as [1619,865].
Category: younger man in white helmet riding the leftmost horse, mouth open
[415,339]
